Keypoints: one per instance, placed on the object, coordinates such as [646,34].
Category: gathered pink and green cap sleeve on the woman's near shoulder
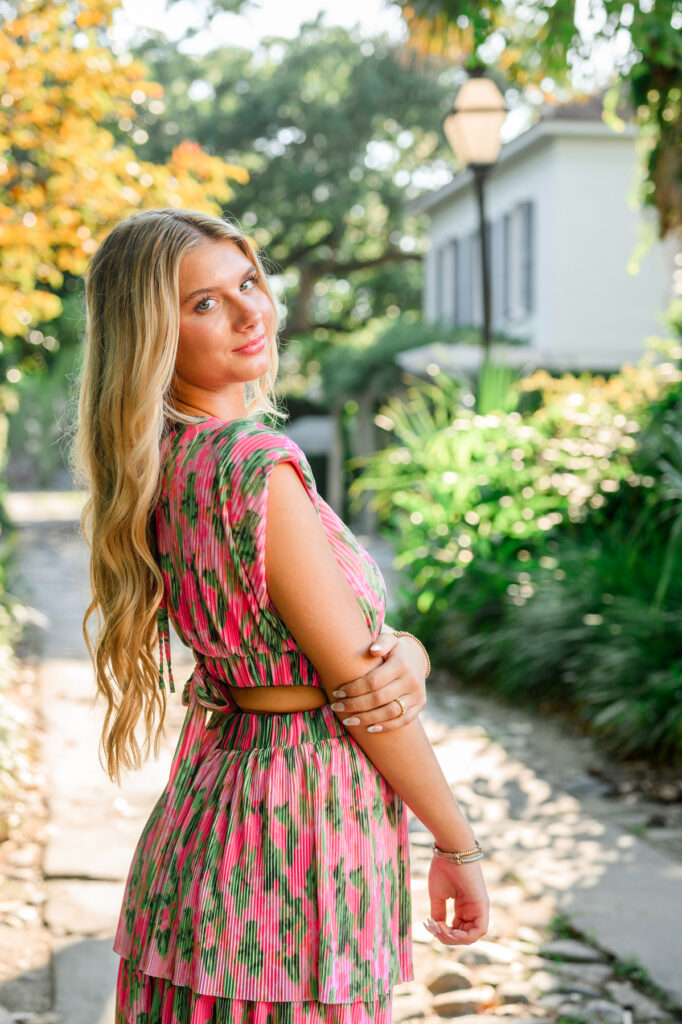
[246,464]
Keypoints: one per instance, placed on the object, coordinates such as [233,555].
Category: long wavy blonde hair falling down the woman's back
[124,402]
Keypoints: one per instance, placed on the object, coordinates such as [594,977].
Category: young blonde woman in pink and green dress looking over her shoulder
[271,883]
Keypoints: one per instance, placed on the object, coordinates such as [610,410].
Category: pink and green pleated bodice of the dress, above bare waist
[210,529]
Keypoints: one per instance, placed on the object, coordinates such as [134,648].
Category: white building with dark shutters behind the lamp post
[564,227]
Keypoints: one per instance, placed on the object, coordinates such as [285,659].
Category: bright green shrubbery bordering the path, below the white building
[541,552]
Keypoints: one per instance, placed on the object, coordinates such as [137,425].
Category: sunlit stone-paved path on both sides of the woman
[556,844]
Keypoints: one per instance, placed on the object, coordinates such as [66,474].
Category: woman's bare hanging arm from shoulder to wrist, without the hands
[313,596]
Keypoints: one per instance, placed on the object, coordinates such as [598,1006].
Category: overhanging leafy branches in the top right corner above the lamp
[536,45]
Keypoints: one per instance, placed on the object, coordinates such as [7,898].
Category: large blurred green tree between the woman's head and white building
[333,131]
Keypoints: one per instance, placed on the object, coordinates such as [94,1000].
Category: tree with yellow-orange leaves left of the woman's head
[66,179]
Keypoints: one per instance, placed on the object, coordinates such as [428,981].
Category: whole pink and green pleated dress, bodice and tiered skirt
[271,883]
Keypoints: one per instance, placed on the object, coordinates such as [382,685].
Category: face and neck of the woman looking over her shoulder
[224,308]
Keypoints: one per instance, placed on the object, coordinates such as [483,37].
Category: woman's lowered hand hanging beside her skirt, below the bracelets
[464,884]
